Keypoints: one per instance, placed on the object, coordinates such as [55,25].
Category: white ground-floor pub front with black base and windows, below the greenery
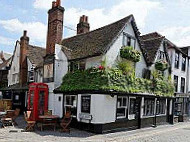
[101,113]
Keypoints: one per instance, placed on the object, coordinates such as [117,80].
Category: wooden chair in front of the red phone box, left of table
[29,121]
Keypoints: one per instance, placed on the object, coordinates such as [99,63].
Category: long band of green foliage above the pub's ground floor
[98,79]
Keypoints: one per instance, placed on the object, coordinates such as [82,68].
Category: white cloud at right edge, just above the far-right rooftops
[178,35]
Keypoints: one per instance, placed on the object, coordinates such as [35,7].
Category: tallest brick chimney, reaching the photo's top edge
[55,26]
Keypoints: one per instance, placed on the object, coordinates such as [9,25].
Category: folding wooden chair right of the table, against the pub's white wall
[65,122]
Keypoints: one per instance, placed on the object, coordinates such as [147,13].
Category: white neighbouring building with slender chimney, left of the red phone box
[26,66]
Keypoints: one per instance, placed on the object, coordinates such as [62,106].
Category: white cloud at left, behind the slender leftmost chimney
[36,30]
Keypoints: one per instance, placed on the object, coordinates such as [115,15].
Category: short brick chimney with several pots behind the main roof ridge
[83,26]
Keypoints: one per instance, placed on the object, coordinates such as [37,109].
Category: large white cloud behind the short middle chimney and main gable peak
[100,17]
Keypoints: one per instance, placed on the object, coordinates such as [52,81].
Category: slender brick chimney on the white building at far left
[24,42]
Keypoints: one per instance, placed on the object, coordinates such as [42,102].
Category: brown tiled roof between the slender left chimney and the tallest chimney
[36,54]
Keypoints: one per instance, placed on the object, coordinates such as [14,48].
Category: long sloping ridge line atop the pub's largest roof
[82,34]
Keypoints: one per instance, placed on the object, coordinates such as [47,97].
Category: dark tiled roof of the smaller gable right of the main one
[150,45]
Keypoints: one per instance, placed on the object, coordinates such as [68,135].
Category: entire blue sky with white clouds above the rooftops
[169,17]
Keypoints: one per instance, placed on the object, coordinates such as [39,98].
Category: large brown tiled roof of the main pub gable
[94,43]
